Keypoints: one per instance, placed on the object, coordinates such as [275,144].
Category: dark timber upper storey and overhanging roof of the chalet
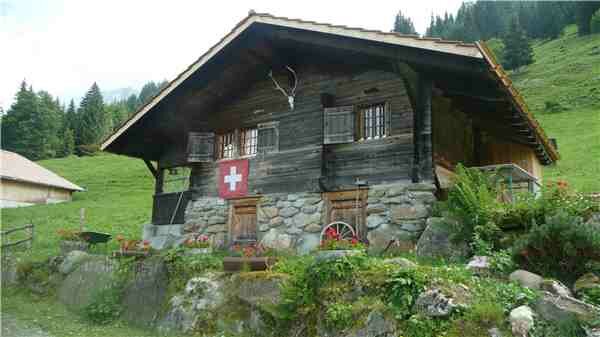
[369,106]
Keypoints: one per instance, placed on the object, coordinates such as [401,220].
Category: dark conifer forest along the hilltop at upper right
[509,24]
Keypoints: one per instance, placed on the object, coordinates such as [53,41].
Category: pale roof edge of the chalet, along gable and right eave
[478,52]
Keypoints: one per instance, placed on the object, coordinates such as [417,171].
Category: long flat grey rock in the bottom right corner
[563,309]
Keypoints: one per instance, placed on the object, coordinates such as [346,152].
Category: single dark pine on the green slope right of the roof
[517,50]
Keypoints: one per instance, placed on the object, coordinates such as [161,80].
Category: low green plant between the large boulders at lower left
[105,306]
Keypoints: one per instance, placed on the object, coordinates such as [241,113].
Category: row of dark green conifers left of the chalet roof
[39,126]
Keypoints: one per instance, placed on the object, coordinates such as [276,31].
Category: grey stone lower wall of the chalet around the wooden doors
[294,221]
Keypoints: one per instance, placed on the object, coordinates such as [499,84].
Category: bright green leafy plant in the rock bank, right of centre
[403,288]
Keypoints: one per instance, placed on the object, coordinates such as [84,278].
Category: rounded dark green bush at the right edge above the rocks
[563,248]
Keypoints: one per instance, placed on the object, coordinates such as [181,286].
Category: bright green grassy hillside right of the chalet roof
[566,76]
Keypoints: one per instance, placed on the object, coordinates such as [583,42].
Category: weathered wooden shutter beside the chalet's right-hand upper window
[339,125]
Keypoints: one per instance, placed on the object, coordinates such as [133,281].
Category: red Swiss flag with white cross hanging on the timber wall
[233,178]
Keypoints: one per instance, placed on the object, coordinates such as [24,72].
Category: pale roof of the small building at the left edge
[18,168]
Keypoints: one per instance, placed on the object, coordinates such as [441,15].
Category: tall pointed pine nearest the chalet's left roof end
[94,123]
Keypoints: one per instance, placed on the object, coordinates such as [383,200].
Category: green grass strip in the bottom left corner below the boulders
[51,316]
